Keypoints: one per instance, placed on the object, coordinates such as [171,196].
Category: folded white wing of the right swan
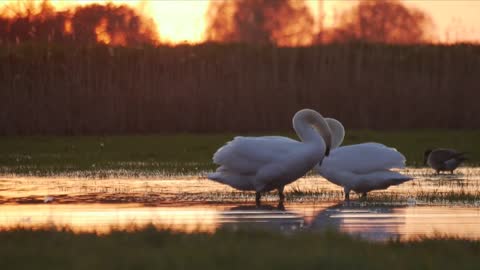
[364,158]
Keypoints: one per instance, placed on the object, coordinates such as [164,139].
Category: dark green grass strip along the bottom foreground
[245,249]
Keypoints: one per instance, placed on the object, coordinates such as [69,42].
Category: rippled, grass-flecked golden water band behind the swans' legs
[198,189]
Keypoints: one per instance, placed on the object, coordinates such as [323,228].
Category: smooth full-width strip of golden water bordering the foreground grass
[374,223]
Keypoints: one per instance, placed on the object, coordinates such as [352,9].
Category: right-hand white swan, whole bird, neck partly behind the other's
[360,167]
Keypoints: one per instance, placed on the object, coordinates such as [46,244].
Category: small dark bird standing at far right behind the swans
[442,159]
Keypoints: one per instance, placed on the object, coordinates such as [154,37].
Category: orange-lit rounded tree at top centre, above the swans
[281,22]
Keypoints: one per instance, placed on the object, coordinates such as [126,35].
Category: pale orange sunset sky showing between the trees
[183,20]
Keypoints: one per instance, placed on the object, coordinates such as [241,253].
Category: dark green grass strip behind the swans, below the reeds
[177,154]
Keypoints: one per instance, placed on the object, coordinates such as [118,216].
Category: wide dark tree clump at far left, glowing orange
[112,24]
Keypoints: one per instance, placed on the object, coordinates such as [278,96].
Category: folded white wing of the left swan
[246,155]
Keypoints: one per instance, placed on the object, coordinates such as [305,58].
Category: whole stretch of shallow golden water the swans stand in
[414,209]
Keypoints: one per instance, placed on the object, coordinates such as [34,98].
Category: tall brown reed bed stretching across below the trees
[59,89]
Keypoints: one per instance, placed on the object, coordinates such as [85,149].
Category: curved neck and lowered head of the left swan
[306,119]
